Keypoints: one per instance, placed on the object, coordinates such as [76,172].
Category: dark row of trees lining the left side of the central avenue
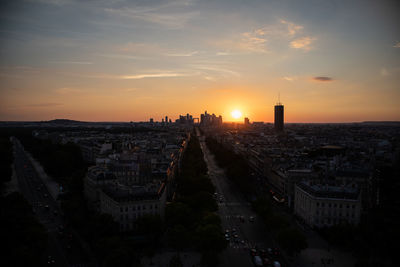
[192,222]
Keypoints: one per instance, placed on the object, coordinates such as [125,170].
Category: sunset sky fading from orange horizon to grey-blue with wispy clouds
[119,60]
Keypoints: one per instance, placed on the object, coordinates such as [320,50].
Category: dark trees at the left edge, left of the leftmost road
[25,239]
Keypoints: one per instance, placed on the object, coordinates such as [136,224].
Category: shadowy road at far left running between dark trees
[45,208]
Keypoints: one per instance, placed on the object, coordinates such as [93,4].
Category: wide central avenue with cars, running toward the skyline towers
[232,206]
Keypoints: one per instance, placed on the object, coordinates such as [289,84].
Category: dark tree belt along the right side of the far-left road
[64,163]
